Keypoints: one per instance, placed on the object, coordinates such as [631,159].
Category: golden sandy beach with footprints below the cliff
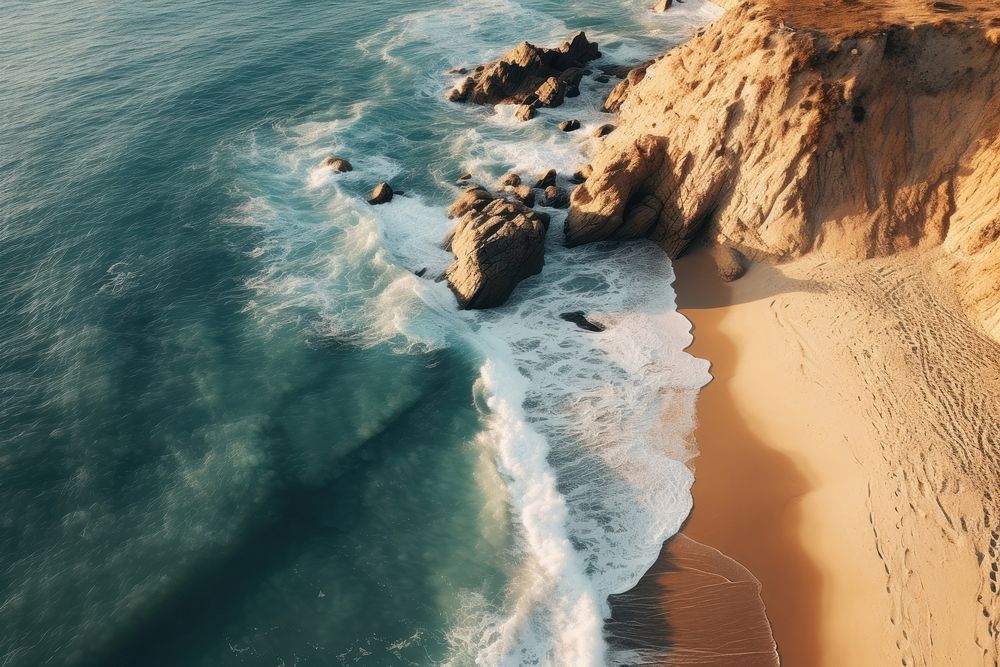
[849,459]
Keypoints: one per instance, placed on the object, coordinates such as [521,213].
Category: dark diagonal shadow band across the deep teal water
[210,596]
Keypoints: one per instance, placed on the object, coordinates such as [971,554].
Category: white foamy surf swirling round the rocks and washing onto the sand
[589,431]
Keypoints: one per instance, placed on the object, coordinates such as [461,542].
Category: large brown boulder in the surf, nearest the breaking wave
[497,243]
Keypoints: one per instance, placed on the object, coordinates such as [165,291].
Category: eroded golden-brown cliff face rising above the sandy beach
[780,132]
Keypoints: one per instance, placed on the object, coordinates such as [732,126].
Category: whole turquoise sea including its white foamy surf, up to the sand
[235,428]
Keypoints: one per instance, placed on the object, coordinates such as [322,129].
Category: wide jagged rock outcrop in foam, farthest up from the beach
[529,76]
